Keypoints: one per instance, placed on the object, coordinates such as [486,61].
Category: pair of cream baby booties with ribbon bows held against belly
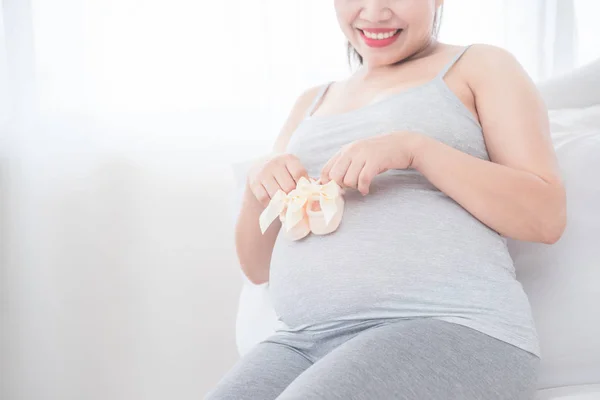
[311,207]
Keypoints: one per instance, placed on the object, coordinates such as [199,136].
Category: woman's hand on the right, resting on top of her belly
[357,163]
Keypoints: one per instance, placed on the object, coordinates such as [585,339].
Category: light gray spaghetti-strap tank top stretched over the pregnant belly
[406,250]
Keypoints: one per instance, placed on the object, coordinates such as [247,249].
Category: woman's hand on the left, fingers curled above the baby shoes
[279,171]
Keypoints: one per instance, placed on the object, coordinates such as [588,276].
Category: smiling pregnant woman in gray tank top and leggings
[442,153]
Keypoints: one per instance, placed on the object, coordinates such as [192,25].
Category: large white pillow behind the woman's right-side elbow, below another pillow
[563,280]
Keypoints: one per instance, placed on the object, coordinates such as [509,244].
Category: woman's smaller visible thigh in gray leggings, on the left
[262,374]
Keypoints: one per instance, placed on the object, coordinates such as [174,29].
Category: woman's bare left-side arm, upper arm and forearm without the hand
[254,249]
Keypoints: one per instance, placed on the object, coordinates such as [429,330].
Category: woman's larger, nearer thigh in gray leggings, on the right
[416,360]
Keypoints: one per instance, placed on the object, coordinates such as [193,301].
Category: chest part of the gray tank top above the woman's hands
[317,139]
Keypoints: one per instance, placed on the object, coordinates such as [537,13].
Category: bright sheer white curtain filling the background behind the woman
[118,122]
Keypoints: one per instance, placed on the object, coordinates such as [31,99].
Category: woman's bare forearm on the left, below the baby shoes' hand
[254,249]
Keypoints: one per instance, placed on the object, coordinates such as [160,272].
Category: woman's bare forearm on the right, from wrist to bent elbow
[516,204]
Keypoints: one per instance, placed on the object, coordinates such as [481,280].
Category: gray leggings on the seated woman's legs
[419,359]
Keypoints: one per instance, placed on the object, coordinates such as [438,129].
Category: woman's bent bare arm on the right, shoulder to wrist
[519,194]
